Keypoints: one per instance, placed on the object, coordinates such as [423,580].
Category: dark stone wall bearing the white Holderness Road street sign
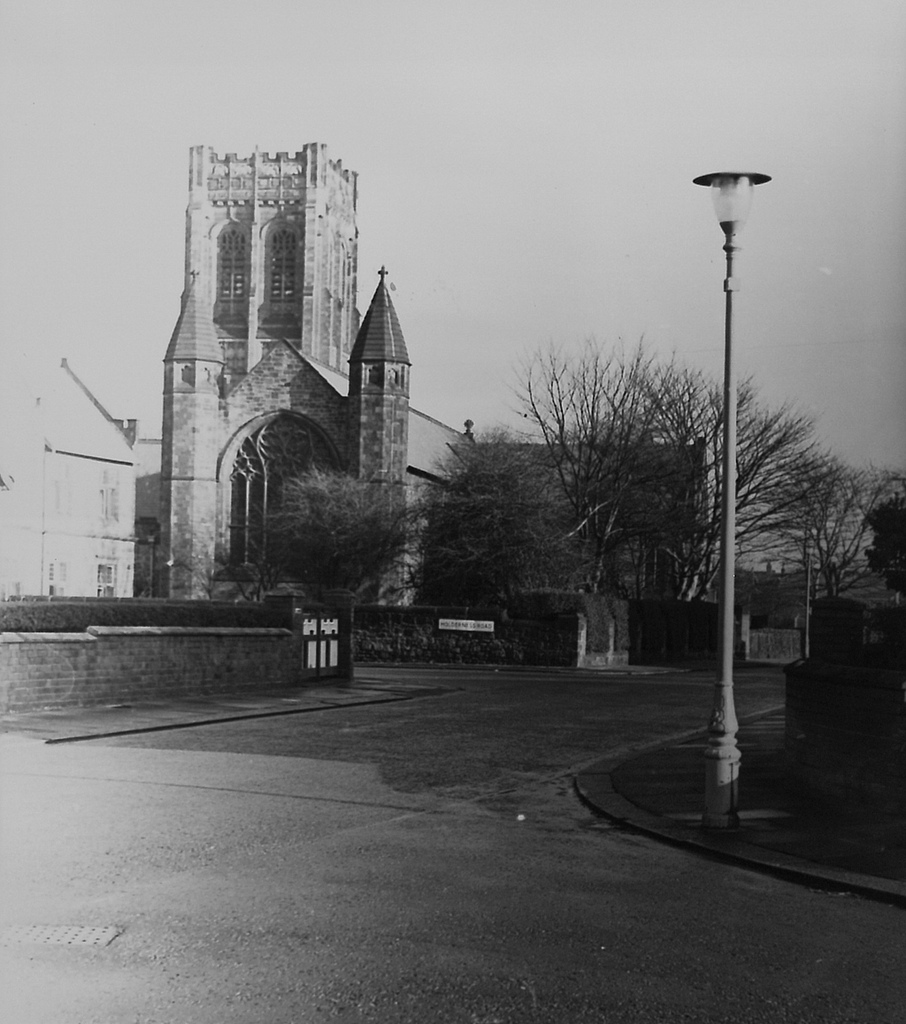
[412,635]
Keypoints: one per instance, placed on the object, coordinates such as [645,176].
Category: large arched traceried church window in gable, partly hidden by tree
[285,448]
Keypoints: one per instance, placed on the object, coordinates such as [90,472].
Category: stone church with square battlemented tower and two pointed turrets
[271,371]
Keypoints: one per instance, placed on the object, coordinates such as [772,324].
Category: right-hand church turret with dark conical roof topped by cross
[379,389]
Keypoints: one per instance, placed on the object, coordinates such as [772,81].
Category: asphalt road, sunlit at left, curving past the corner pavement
[421,862]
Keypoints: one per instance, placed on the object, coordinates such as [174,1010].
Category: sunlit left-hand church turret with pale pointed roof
[193,379]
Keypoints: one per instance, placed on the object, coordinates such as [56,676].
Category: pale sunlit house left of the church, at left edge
[67,491]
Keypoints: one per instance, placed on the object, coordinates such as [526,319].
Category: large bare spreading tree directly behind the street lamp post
[637,450]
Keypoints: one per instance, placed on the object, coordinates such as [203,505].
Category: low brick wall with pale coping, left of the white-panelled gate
[109,665]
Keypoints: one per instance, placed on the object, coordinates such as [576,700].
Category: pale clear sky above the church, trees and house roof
[525,174]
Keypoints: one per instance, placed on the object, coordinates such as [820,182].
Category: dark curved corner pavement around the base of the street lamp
[660,792]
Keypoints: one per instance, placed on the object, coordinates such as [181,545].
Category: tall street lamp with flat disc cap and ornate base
[731,192]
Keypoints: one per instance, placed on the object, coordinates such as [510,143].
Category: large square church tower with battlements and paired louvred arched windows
[273,243]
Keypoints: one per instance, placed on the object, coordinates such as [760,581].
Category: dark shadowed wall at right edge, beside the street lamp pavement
[846,734]
